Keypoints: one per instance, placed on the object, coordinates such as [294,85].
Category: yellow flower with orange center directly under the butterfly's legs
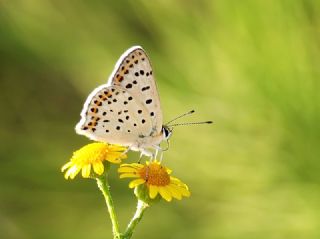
[156,178]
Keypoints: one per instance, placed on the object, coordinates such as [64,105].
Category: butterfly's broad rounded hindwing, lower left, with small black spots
[112,114]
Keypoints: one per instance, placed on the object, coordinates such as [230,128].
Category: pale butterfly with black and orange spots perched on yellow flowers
[127,110]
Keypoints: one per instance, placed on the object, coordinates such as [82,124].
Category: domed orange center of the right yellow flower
[155,174]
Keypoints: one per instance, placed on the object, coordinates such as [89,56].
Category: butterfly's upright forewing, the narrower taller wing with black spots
[134,73]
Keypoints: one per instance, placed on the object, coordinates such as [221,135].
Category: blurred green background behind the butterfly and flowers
[251,66]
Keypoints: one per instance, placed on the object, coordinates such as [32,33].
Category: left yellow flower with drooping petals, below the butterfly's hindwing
[92,156]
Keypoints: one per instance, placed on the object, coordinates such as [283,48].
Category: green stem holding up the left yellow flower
[103,185]
